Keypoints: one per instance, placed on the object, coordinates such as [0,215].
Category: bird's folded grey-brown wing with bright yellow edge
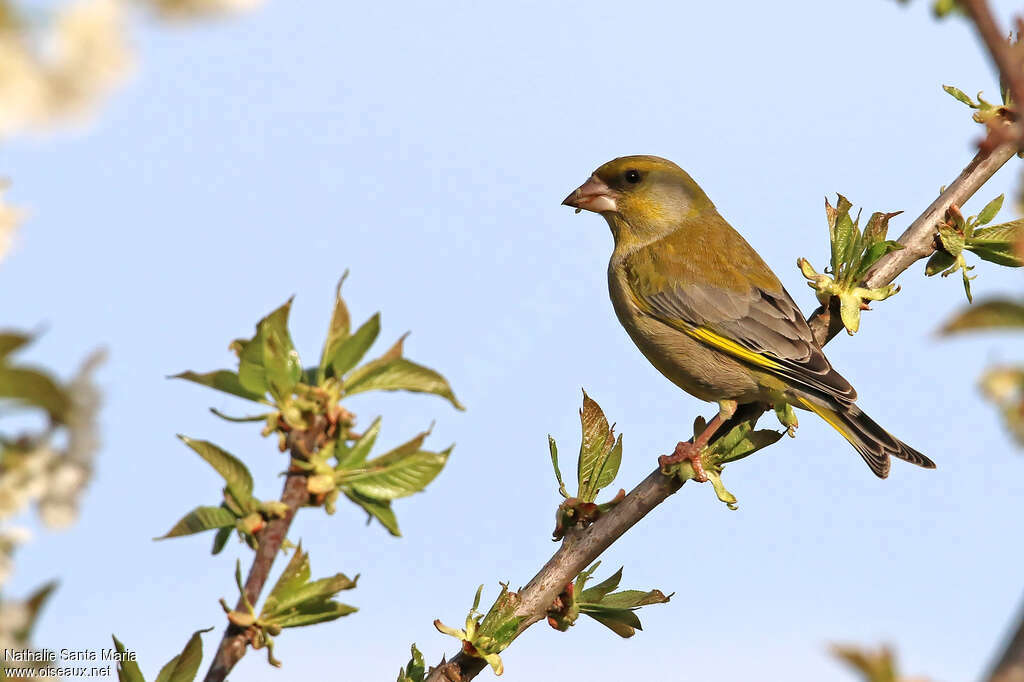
[759,325]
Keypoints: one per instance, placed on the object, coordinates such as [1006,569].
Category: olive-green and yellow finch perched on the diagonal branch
[710,315]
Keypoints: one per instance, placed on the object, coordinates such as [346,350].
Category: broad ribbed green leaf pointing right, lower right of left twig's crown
[389,478]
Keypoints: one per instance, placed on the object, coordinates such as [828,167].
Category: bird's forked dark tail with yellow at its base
[873,442]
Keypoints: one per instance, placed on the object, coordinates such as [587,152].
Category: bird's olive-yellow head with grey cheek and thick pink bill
[642,197]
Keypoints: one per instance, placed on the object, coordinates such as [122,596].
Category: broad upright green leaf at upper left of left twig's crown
[270,361]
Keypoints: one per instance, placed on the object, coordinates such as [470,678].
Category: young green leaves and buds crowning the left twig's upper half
[307,402]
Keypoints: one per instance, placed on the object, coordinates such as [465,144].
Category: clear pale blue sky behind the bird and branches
[428,149]
